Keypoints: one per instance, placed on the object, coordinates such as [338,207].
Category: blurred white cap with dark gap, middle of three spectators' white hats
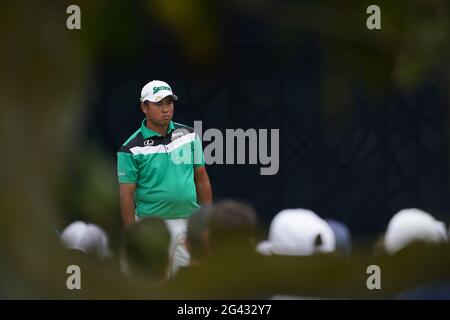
[298,232]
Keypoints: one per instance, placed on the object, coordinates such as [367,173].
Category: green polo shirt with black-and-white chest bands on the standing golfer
[162,167]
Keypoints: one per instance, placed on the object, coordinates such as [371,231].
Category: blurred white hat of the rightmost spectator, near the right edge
[411,225]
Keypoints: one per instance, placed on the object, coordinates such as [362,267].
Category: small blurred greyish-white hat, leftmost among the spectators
[88,238]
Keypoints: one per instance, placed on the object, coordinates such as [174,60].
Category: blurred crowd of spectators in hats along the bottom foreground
[303,256]
